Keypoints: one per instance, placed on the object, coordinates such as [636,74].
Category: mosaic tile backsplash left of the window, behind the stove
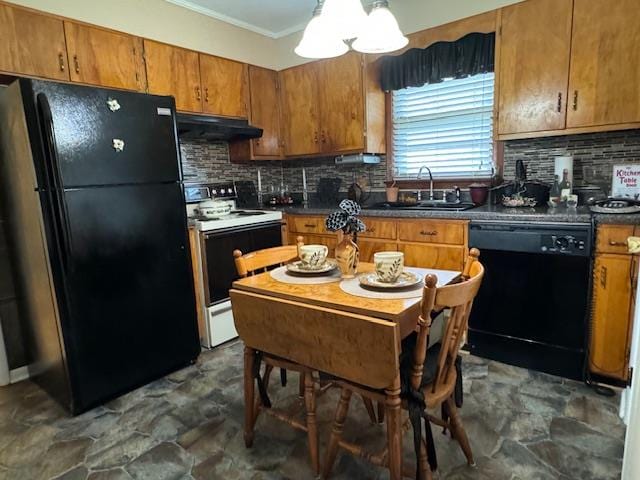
[208,162]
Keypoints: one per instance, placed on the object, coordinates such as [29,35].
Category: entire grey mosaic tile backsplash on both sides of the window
[208,162]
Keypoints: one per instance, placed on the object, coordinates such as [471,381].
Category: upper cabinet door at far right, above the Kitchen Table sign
[605,63]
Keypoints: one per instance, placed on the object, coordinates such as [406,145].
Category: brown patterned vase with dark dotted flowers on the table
[346,220]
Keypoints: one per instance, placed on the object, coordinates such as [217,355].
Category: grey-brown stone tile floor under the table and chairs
[522,425]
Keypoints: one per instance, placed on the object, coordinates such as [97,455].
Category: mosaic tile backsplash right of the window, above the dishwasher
[602,150]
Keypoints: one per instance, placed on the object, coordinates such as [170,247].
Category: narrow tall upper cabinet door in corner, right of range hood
[265,111]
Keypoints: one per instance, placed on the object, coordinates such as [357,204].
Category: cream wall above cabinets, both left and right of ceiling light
[164,21]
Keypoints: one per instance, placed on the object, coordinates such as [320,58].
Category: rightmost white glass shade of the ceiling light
[381,33]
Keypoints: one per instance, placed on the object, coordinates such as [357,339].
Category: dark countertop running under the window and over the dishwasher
[486,212]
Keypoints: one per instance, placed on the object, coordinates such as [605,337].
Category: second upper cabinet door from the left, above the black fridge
[105,58]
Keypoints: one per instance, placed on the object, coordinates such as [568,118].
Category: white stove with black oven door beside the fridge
[246,230]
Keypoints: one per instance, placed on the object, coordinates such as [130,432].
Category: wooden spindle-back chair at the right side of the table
[439,392]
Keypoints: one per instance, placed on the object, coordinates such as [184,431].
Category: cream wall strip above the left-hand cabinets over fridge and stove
[166,22]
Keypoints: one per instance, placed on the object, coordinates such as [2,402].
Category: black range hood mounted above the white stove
[206,127]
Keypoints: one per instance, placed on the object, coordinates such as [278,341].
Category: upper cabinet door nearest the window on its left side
[341,104]
